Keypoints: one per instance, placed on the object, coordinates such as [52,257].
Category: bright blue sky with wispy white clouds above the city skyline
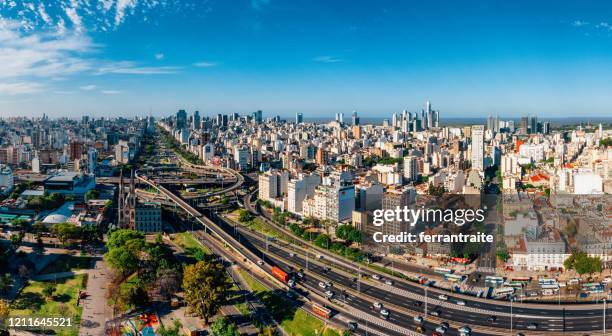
[470,58]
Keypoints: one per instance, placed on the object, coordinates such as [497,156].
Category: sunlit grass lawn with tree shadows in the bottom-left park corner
[32,303]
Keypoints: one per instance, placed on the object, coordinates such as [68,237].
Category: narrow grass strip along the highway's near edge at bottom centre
[293,320]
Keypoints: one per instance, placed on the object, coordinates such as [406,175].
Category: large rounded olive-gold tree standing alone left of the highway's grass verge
[205,284]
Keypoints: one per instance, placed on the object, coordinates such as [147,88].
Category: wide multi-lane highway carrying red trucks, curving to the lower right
[403,299]
